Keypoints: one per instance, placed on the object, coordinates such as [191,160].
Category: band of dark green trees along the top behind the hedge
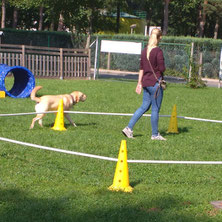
[195,17]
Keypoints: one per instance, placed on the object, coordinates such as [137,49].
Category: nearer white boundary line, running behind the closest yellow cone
[108,158]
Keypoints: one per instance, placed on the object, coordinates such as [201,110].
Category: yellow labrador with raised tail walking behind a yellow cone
[51,103]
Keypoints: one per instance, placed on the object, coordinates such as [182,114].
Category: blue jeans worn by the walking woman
[152,96]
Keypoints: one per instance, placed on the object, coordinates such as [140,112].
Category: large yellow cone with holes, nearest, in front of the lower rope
[121,177]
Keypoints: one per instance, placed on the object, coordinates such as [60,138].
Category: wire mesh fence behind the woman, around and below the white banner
[177,59]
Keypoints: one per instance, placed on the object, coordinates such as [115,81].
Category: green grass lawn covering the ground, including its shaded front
[40,185]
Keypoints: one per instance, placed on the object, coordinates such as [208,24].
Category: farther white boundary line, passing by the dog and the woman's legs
[112,114]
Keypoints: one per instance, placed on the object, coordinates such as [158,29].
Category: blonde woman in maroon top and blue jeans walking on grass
[152,61]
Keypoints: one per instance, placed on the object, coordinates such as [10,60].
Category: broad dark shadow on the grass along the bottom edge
[104,206]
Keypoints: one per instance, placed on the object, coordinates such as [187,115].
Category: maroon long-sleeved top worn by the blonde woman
[157,62]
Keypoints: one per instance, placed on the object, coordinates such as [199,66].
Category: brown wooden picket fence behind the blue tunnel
[48,62]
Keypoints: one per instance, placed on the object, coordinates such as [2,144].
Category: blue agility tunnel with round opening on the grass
[24,81]
